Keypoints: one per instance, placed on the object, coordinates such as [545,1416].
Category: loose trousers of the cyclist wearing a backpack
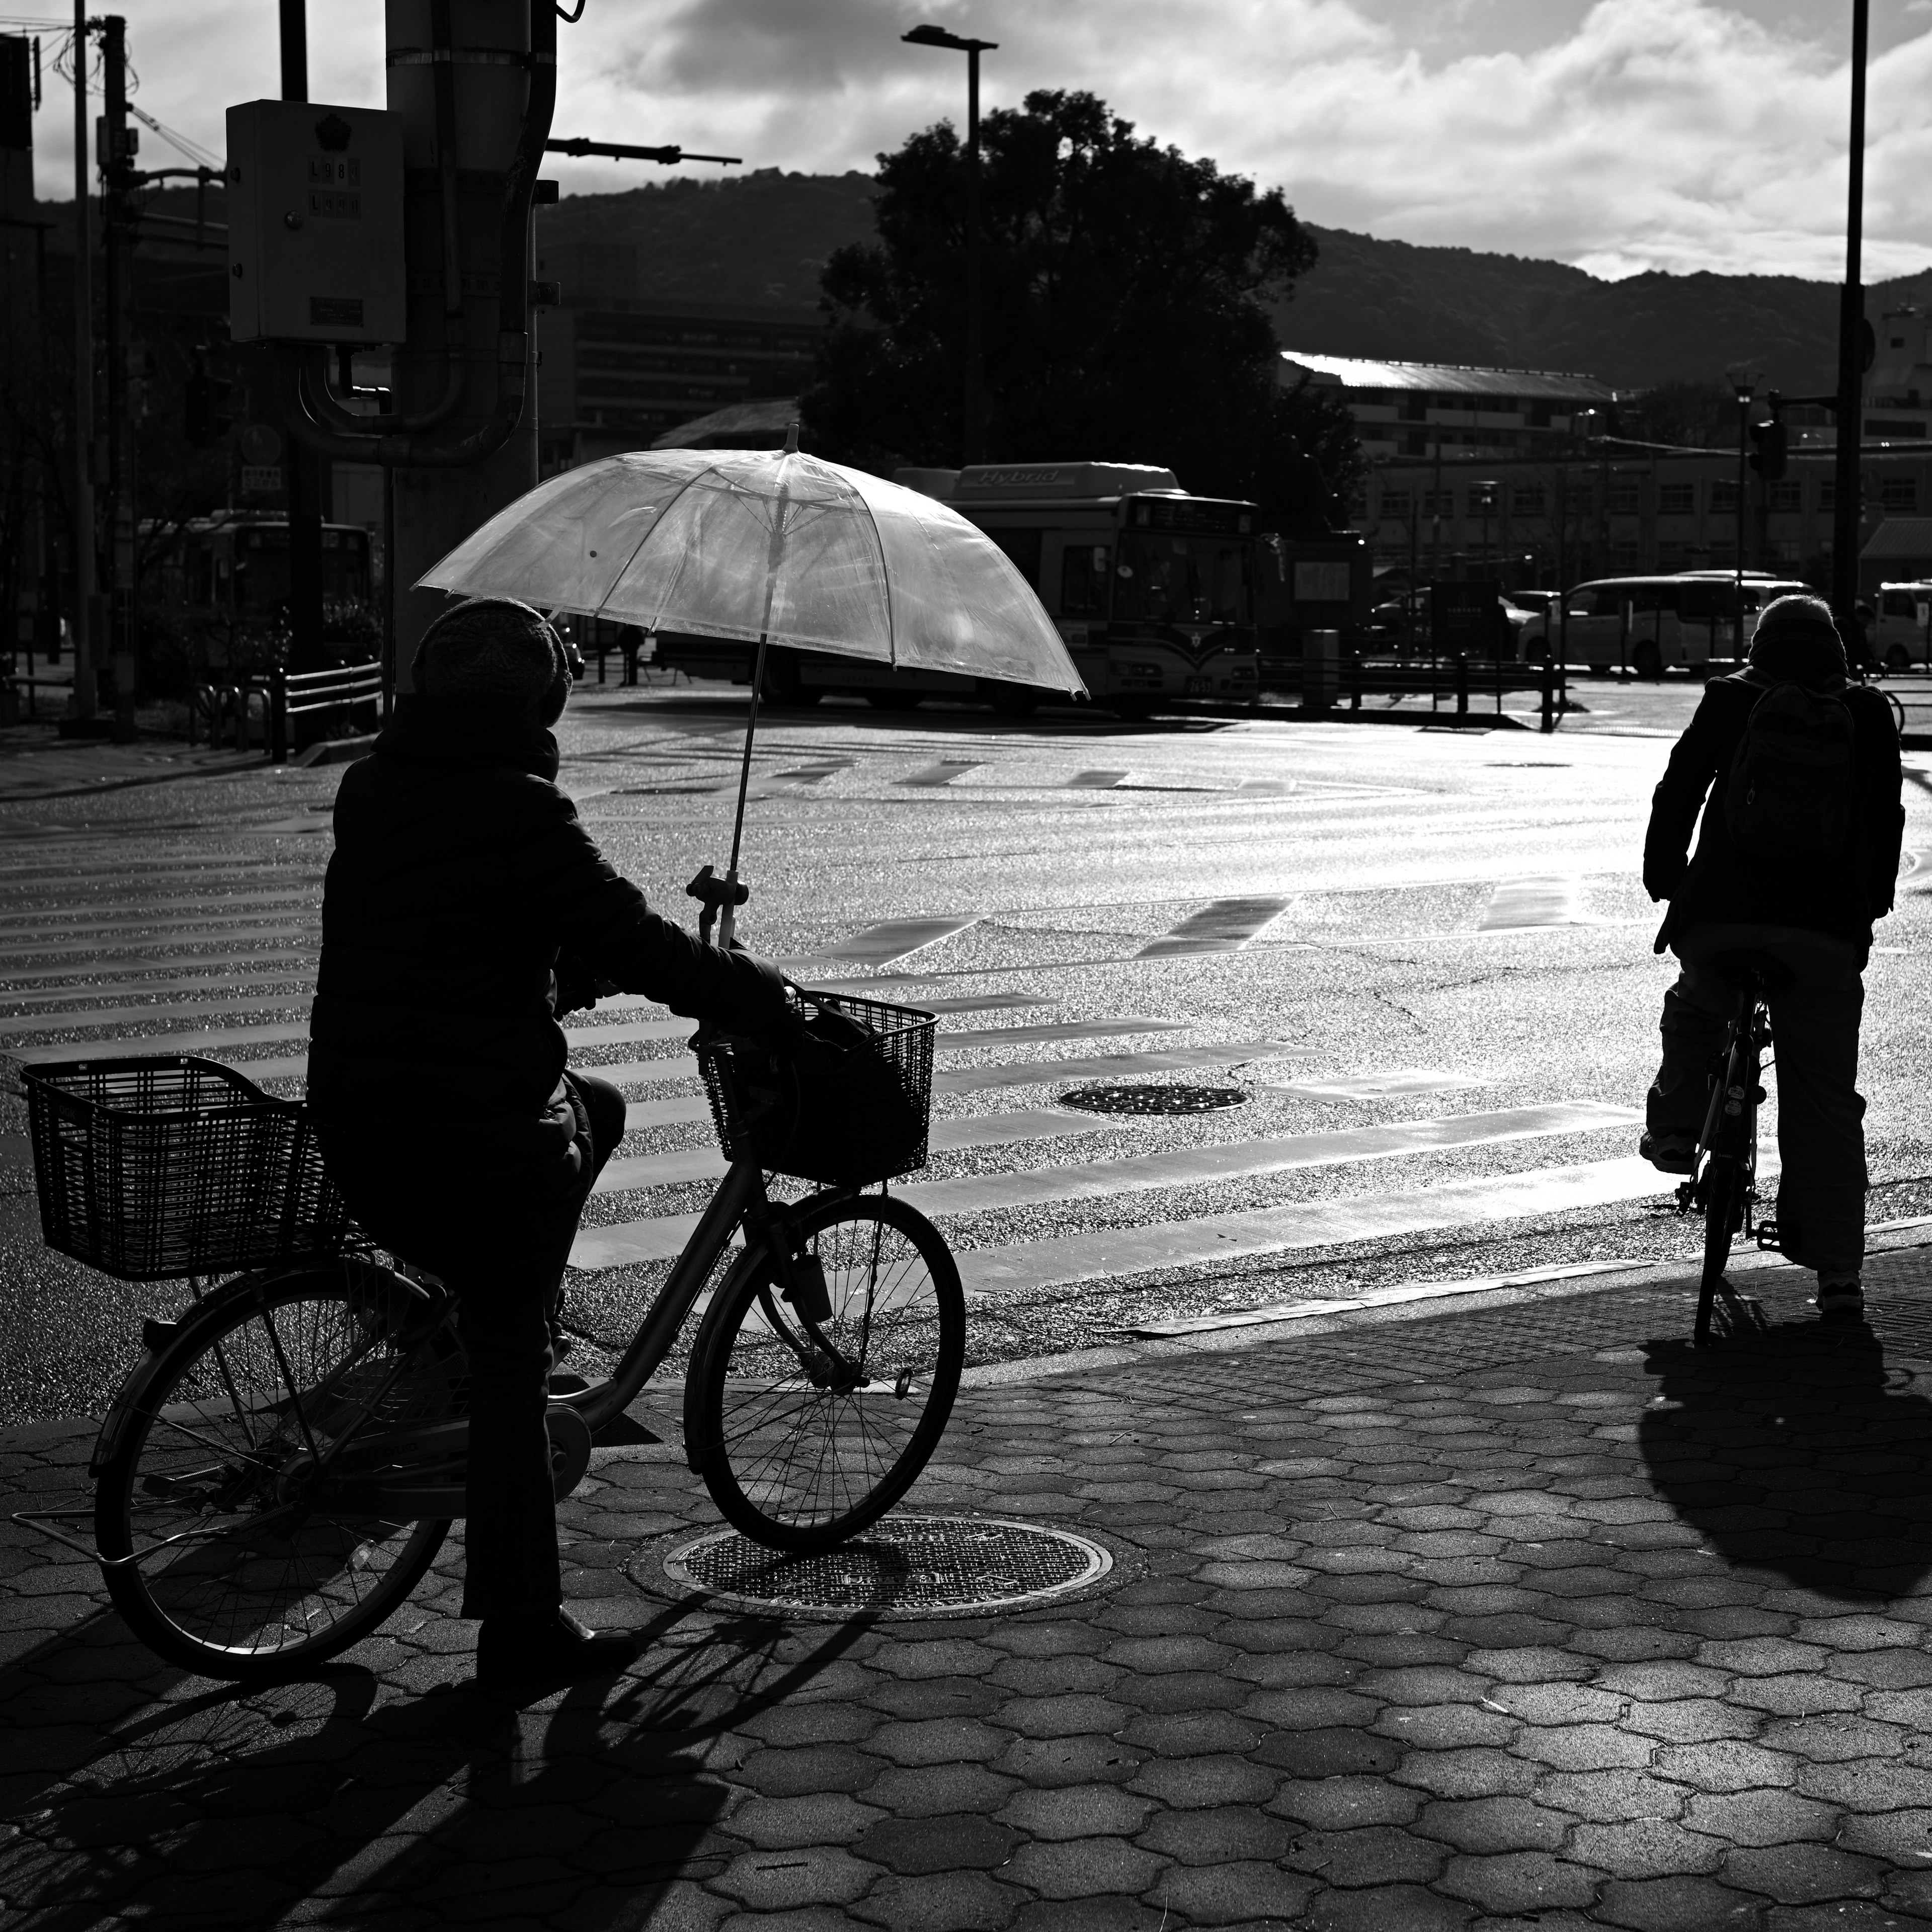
[1815,1052]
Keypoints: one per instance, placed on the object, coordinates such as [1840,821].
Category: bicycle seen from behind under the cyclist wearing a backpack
[1724,1183]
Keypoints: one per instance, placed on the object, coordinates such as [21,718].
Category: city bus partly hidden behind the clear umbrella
[1151,588]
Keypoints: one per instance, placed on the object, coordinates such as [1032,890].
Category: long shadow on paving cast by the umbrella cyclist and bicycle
[376,1804]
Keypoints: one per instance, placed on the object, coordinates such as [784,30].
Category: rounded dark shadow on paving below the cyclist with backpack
[1798,1450]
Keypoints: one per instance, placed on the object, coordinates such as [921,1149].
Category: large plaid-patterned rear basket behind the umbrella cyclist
[173,1166]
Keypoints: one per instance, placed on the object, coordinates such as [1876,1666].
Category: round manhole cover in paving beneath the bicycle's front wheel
[899,1568]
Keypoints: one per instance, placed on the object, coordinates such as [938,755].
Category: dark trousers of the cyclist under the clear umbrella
[499,1236]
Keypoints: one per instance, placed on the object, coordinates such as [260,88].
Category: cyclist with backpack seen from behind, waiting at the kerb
[1798,776]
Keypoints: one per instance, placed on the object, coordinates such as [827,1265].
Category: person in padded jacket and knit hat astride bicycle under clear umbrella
[465,913]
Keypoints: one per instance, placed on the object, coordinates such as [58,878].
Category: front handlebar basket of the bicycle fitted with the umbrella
[841,1106]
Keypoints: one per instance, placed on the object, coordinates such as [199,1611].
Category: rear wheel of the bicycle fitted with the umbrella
[225,1568]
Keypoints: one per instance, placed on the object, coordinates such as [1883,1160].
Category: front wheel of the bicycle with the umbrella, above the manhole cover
[809,1427]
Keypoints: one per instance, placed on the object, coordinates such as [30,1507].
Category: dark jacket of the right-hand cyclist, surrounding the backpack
[1838,894]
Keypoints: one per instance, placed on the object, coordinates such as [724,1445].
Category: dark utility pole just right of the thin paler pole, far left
[117,246]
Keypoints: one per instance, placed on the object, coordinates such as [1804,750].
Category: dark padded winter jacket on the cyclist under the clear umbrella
[459,878]
